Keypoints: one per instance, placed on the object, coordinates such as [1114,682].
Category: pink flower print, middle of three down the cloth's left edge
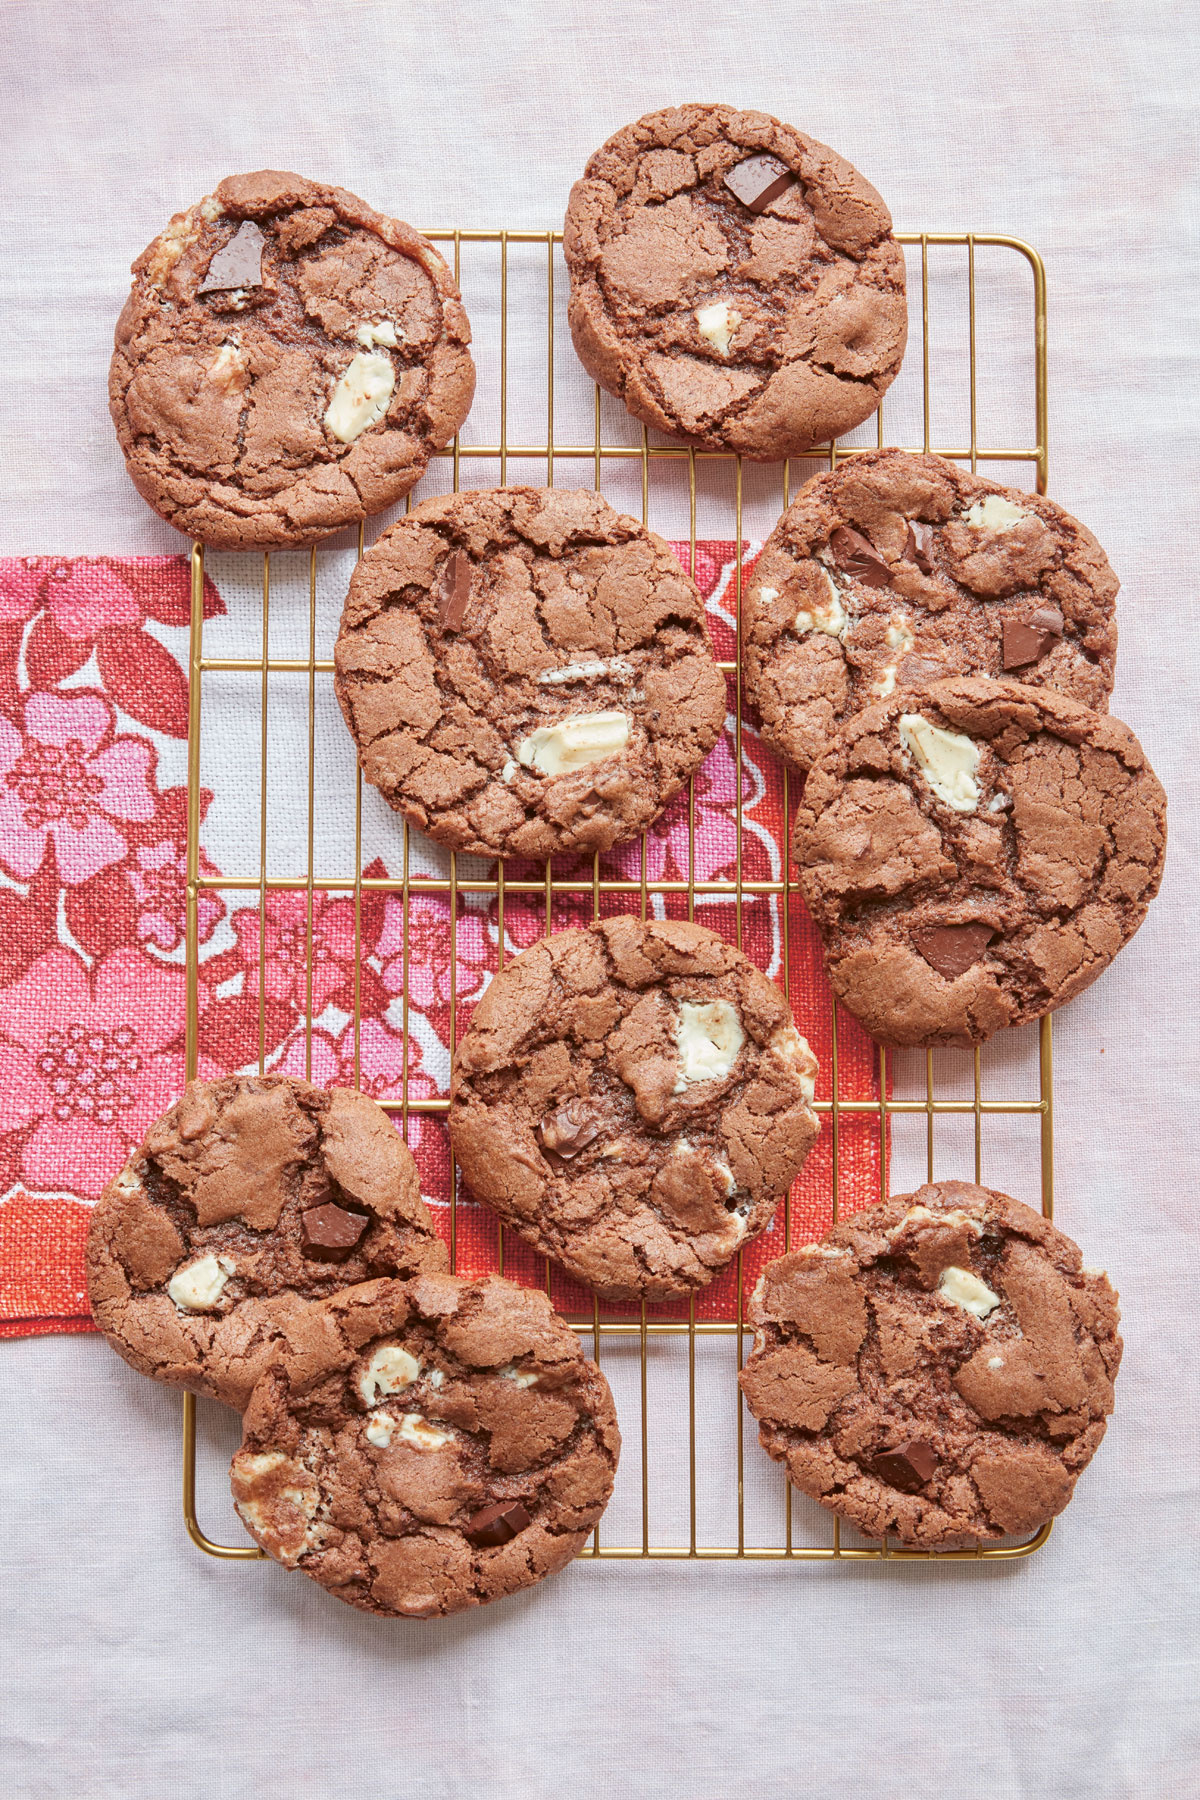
[69,780]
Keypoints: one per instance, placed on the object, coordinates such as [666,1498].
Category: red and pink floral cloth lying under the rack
[93,928]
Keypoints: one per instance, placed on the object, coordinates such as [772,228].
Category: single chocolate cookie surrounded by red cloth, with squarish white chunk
[634,1101]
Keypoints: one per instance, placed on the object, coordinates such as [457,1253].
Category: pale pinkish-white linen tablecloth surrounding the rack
[130,1662]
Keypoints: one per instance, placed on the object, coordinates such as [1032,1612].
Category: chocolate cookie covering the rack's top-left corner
[287,363]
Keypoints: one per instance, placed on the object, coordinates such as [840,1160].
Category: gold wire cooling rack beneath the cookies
[641,1327]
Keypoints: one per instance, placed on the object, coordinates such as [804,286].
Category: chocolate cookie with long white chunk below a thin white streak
[526,672]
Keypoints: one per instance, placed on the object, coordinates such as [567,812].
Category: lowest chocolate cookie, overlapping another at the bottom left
[436,1444]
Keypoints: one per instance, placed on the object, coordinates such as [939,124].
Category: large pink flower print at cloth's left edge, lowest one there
[85,1063]
